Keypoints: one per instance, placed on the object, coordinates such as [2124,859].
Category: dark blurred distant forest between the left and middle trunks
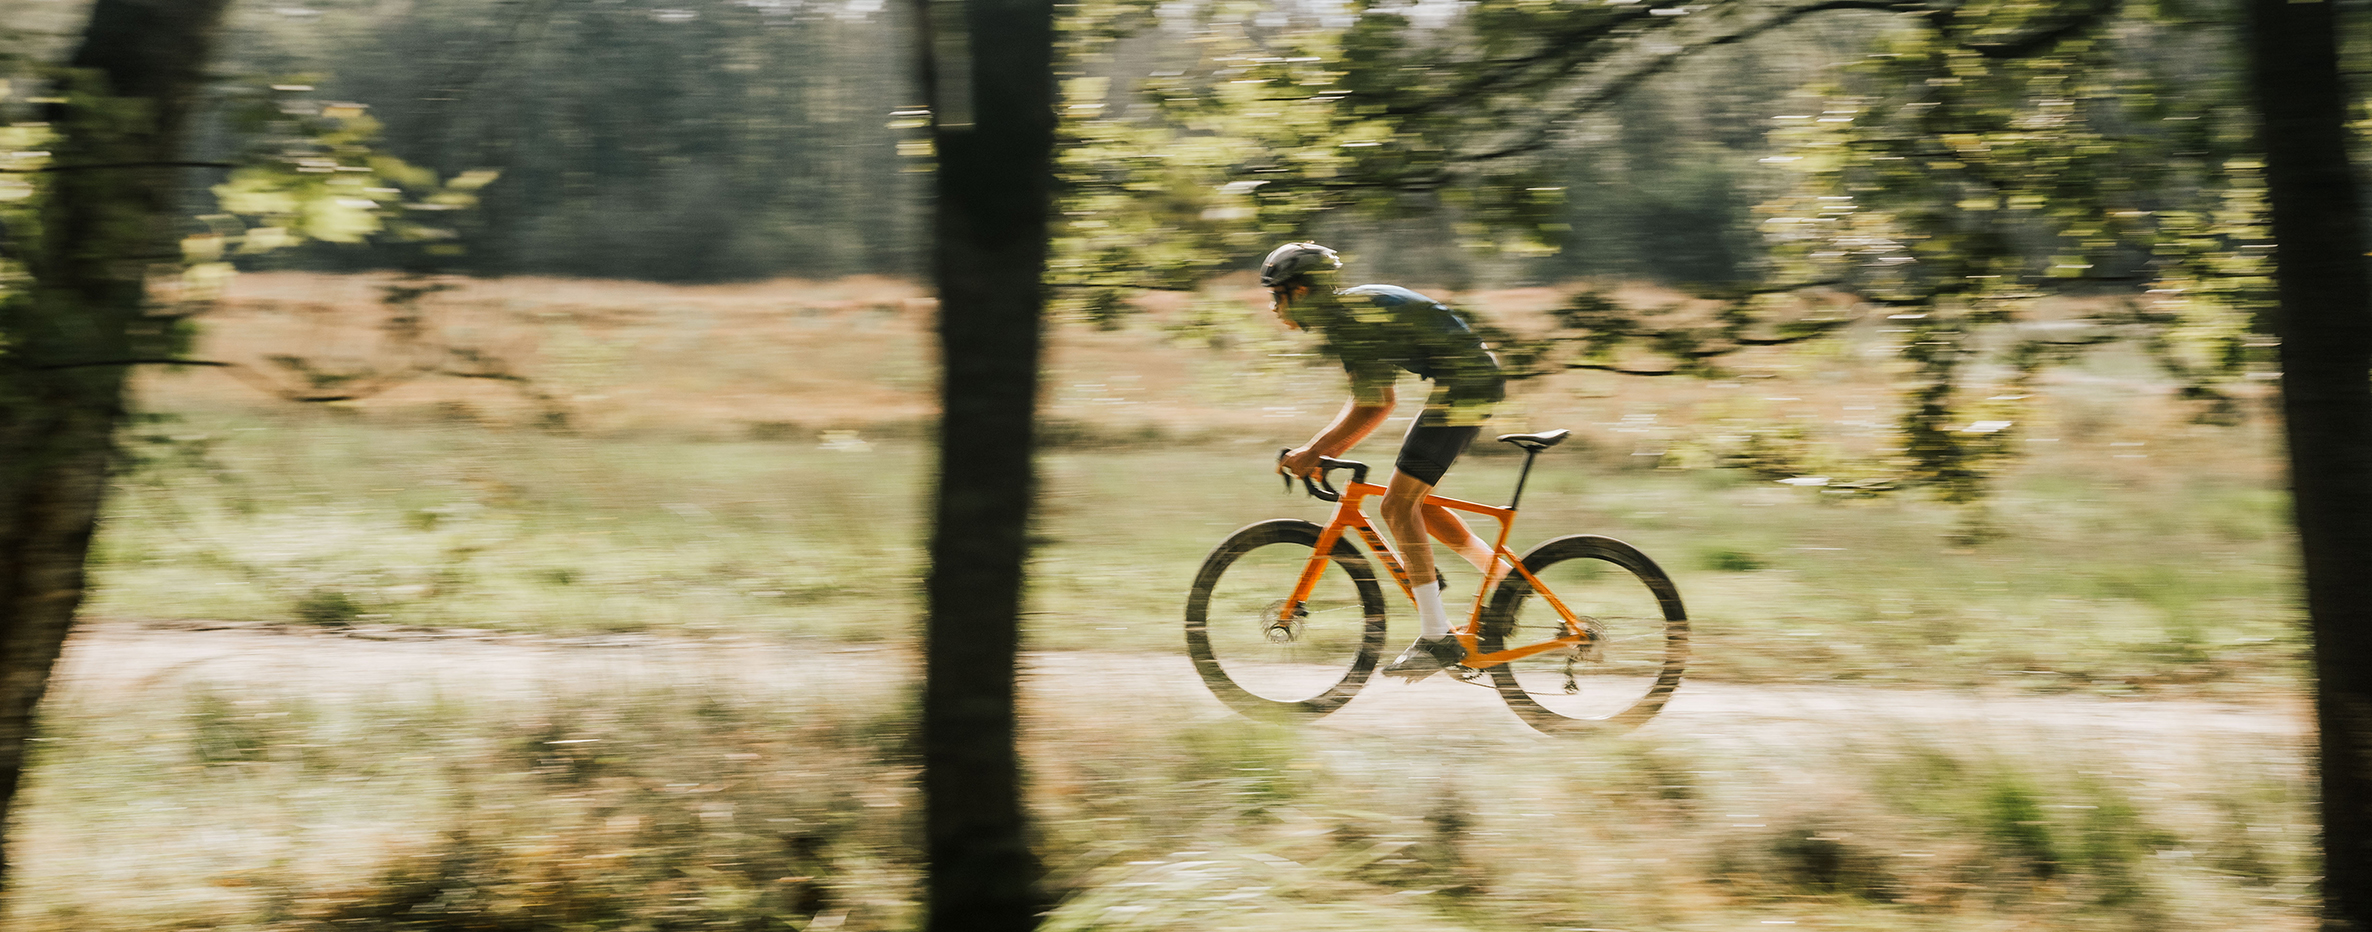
[703,141]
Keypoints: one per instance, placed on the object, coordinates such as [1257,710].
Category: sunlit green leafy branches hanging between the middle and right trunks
[1965,165]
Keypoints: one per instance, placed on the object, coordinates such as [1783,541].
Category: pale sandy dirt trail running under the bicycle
[326,663]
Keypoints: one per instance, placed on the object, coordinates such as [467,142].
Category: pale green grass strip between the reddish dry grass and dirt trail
[338,523]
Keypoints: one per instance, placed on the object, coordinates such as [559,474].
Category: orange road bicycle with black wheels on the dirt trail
[1583,632]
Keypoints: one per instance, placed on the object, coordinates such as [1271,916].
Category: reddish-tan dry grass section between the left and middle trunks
[616,357]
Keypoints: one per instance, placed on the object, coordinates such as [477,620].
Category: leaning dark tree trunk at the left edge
[108,217]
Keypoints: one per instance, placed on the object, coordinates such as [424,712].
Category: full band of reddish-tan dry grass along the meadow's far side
[793,359]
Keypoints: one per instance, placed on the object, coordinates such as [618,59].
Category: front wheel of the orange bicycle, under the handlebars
[1270,663]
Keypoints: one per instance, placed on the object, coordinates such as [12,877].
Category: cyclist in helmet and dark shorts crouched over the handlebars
[1379,331]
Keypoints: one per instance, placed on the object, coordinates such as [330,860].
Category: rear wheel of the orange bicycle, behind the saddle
[1635,651]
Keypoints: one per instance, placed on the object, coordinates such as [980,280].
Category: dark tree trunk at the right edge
[2326,326]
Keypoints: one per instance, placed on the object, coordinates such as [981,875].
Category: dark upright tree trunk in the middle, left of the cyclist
[988,75]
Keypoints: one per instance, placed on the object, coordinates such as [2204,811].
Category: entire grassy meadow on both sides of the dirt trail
[744,471]
